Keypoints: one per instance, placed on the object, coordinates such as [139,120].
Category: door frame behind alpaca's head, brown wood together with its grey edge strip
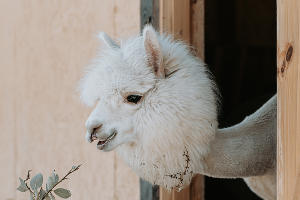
[184,19]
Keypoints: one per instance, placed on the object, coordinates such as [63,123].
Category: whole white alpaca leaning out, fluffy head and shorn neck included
[156,105]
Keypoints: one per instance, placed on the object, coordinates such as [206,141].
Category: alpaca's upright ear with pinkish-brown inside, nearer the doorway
[153,52]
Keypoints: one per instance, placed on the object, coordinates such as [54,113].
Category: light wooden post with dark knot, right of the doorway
[288,83]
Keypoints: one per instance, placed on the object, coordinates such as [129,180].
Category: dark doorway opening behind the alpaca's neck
[240,48]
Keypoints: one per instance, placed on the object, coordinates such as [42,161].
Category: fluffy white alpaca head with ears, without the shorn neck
[154,103]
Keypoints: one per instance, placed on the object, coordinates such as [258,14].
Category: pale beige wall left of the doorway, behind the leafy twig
[44,47]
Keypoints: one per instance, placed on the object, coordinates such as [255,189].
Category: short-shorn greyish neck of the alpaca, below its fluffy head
[245,149]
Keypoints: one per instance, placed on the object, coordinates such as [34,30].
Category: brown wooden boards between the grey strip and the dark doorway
[185,20]
